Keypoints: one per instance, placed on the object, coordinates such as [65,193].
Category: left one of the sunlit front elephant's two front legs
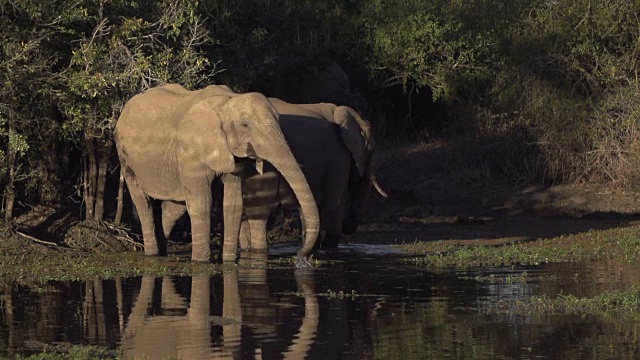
[199,208]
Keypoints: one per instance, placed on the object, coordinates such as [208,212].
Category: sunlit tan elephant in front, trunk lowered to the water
[173,142]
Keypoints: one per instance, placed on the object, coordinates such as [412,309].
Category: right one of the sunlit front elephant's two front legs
[232,215]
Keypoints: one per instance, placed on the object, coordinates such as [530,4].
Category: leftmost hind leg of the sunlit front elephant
[143,207]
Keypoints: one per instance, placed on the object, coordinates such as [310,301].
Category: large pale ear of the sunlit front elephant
[202,138]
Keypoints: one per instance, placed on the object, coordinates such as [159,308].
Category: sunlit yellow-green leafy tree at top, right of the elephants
[426,43]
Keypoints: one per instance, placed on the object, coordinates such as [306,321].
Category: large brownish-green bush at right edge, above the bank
[573,76]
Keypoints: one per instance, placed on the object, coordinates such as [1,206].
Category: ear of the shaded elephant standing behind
[356,134]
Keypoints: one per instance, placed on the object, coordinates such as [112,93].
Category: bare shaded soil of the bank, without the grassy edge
[434,195]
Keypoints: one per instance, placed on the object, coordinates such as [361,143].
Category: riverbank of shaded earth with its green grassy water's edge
[438,202]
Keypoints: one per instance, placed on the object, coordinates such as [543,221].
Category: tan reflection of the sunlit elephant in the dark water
[183,328]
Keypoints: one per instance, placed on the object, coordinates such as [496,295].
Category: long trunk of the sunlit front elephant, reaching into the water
[284,161]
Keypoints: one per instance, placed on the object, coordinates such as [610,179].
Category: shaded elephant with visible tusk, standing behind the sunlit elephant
[334,146]
